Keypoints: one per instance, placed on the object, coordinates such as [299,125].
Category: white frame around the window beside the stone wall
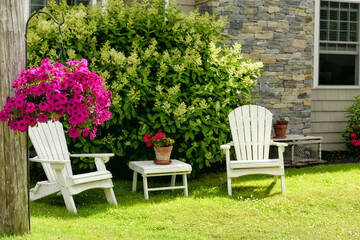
[316,49]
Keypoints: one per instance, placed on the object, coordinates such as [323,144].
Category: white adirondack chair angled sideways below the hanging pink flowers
[50,145]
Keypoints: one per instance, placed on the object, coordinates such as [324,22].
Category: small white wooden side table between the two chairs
[150,169]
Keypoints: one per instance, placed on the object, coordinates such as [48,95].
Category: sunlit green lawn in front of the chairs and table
[322,202]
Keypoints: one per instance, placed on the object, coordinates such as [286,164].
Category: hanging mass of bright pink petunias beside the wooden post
[53,91]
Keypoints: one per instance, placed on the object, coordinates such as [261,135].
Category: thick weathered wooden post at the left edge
[14,194]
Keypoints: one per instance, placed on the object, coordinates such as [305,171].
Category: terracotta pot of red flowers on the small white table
[163,146]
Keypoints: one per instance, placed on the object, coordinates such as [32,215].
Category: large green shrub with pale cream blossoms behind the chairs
[167,70]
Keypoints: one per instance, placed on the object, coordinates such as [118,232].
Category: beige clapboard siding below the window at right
[328,115]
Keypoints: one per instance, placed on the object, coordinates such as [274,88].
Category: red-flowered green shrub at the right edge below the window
[352,129]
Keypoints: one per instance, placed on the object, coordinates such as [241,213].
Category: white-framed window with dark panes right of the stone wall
[336,44]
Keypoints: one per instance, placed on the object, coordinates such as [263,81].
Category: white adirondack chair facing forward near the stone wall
[251,133]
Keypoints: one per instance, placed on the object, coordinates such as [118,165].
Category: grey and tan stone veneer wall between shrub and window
[280,34]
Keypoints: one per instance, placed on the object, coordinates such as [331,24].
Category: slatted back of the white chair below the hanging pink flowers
[49,142]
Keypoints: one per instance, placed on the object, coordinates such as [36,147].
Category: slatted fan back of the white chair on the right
[251,131]
